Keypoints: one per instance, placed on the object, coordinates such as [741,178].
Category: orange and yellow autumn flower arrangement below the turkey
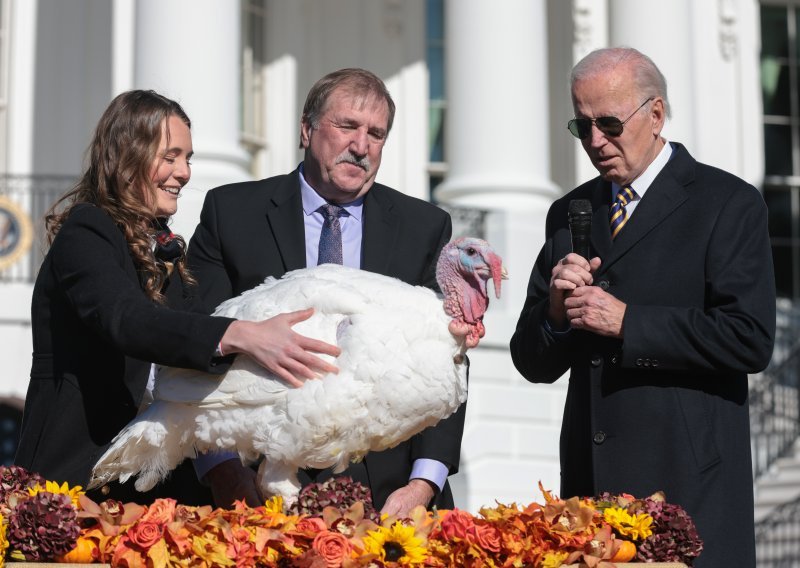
[334,525]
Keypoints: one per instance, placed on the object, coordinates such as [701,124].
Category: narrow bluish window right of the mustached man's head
[437,104]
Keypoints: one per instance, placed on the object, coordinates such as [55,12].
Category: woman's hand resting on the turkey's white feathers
[276,347]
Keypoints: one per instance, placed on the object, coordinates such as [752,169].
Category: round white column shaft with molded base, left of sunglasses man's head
[497,107]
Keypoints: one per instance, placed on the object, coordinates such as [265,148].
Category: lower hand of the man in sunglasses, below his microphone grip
[593,309]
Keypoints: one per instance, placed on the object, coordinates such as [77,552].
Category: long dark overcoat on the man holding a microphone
[666,408]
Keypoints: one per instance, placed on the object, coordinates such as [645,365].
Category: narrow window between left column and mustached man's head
[254,14]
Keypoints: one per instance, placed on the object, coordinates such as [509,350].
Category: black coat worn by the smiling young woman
[94,336]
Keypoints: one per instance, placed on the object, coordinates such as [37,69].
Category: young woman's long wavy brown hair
[118,180]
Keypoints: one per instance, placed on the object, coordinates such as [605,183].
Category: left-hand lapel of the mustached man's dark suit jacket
[285,219]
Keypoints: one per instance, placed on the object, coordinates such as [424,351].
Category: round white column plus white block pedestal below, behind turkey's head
[498,155]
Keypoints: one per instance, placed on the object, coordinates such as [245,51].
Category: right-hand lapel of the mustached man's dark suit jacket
[379,232]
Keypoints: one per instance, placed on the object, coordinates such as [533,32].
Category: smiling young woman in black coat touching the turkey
[109,300]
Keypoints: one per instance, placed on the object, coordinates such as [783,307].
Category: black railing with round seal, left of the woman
[23,203]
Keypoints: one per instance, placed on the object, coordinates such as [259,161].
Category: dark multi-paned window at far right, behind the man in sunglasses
[780,86]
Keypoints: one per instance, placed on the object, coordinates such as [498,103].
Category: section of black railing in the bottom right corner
[778,538]
